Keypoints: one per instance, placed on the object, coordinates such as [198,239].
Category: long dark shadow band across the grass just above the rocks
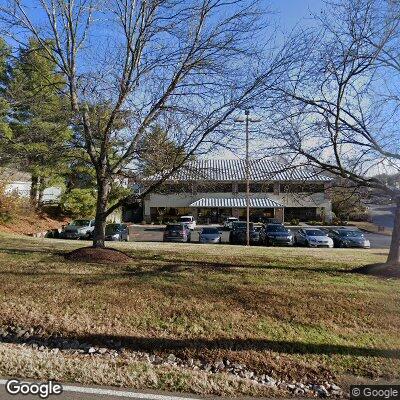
[199,345]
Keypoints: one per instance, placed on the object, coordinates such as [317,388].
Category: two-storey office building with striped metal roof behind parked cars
[212,190]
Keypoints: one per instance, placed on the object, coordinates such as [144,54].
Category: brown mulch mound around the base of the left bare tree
[100,256]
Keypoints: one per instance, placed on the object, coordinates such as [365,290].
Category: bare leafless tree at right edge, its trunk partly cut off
[335,111]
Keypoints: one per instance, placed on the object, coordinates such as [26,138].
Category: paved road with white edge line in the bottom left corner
[76,392]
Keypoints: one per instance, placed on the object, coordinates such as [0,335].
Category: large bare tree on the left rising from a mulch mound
[131,64]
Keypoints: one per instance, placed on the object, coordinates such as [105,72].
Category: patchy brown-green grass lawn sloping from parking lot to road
[292,313]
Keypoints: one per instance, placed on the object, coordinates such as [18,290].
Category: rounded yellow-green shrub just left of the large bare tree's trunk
[79,203]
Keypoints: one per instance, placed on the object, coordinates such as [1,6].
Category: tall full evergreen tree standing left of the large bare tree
[39,121]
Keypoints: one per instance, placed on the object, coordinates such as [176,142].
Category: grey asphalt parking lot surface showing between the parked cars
[148,233]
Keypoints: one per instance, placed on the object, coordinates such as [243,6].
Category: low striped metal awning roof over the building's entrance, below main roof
[235,202]
